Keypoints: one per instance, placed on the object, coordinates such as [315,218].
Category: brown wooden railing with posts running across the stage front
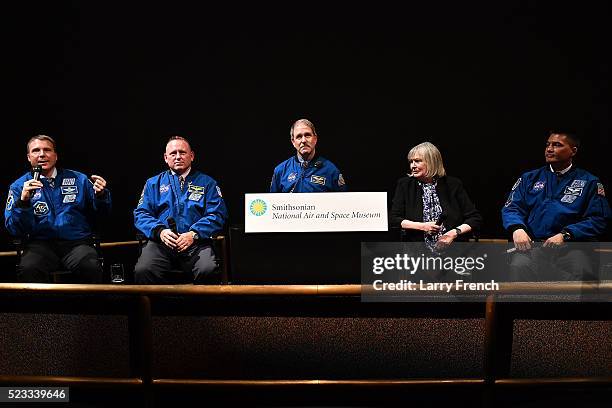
[498,318]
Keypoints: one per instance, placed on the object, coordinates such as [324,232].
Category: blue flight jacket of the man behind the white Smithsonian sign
[317,176]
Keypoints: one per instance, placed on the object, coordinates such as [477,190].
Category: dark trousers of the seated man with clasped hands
[158,265]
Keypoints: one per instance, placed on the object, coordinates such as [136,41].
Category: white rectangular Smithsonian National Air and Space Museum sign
[315,212]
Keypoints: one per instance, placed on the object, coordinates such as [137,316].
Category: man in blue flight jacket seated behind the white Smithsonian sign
[306,172]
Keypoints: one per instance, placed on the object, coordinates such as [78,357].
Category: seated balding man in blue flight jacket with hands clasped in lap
[179,211]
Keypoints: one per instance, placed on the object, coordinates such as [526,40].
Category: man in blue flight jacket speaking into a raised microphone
[54,215]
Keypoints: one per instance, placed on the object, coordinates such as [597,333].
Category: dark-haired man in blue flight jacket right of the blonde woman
[556,204]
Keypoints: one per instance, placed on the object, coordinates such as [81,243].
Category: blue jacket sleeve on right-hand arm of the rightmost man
[596,215]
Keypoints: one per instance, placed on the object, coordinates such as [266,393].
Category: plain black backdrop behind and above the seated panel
[484,83]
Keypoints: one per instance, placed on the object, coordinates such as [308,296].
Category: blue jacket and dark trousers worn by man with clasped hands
[199,207]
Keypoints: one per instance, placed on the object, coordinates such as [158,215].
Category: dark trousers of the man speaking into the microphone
[41,258]
